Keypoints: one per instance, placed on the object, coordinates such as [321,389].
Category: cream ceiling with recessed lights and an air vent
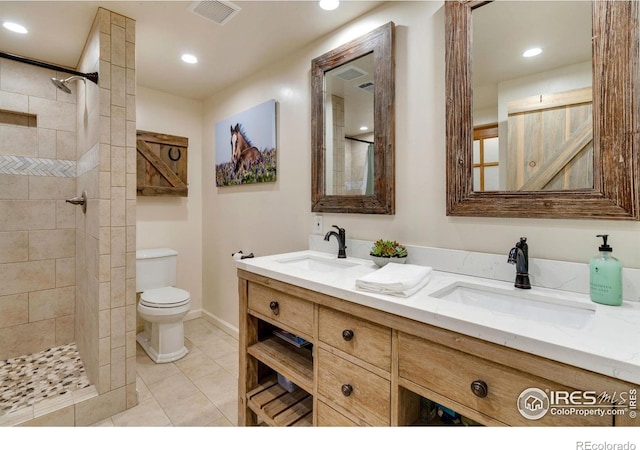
[261,33]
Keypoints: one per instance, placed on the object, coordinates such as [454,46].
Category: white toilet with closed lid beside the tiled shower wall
[161,306]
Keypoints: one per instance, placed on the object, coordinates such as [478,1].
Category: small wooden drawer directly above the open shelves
[292,313]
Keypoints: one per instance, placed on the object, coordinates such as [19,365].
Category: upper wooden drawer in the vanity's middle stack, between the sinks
[363,339]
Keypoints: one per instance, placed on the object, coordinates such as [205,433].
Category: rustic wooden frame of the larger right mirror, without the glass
[614,190]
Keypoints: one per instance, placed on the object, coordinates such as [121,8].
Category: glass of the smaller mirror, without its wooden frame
[349,130]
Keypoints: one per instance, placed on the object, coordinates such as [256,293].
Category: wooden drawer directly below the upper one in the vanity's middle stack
[354,389]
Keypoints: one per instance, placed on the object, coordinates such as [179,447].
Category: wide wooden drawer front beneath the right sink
[450,373]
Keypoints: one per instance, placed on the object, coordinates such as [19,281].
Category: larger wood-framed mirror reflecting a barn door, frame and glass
[568,145]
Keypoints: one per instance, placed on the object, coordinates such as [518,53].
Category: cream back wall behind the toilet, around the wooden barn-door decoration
[175,222]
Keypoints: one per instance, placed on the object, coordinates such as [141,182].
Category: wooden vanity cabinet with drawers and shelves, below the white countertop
[365,367]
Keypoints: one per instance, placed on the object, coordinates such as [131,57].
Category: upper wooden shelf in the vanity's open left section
[293,363]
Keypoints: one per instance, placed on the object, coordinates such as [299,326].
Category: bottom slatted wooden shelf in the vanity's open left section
[278,407]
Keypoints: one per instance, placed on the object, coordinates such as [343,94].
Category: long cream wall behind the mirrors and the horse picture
[276,217]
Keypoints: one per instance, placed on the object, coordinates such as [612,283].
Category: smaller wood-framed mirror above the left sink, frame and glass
[353,171]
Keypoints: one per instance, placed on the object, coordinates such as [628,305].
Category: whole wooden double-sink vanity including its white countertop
[364,359]
